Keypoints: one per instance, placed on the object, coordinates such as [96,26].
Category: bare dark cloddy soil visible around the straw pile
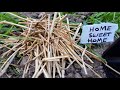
[75,70]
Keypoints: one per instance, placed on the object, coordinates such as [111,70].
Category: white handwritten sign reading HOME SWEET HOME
[98,33]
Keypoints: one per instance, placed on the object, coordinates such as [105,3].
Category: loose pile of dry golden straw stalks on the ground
[50,45]
